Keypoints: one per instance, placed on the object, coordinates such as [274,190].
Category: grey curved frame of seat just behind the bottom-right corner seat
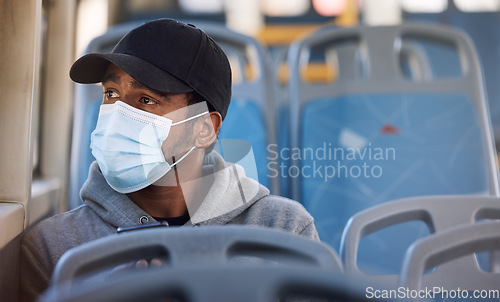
[440,213]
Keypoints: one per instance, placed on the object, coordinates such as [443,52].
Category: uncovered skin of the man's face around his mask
[118,85]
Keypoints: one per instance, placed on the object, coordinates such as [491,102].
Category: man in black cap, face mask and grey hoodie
[167,88]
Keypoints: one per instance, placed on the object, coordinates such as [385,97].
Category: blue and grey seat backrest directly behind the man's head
[250,117]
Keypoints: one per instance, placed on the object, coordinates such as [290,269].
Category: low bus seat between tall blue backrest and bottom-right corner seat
[437,213]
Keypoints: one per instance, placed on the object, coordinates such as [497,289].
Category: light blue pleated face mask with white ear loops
[127,146]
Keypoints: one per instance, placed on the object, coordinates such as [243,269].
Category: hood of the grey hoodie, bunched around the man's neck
[230,194]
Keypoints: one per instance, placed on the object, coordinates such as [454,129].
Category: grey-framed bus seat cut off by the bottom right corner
[451,252]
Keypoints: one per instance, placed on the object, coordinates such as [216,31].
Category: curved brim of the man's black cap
[91,68]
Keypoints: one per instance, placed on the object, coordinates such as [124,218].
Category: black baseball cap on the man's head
[168,56]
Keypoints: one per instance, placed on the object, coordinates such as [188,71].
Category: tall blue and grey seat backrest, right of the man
[377,135]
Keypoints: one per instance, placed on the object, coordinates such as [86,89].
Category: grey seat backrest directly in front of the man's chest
[196,246]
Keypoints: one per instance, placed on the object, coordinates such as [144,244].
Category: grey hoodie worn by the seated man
[233,198]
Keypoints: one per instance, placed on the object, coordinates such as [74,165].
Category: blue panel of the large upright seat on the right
[385,147]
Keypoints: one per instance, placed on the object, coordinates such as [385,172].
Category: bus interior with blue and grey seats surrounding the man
[380,117]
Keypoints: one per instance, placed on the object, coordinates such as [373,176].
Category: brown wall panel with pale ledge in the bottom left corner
[12,224]
